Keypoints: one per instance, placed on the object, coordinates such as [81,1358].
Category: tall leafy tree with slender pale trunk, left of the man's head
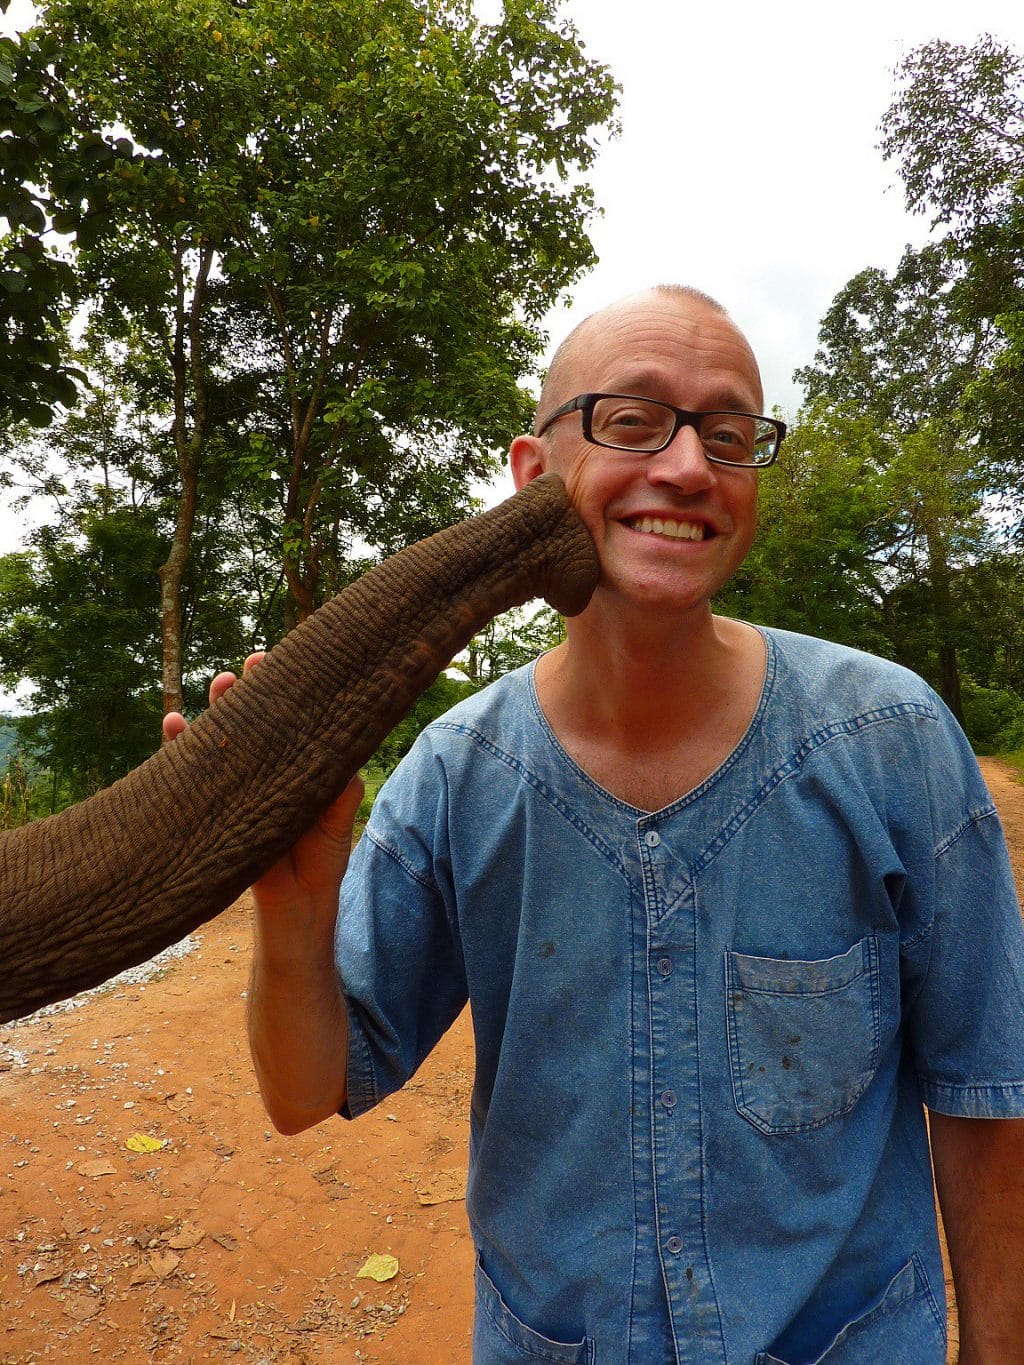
[356,212]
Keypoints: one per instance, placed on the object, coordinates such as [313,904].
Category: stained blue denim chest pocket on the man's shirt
[803,1037]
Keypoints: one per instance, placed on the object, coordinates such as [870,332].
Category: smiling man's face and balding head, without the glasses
[671,529]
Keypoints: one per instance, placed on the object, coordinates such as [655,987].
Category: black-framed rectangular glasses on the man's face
[626,422]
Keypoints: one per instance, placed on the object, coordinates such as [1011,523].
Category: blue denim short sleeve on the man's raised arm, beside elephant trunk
[397,945]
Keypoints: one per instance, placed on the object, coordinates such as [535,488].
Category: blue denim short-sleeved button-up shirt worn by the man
[704,1035]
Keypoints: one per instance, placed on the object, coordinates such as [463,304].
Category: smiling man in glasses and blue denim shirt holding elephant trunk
[730,906]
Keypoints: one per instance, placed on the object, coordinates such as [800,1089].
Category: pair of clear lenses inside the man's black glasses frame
[641,425]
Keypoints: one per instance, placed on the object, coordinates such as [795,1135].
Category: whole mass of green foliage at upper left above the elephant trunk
[320,240]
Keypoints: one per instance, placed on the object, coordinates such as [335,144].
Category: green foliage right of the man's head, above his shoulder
[888,522]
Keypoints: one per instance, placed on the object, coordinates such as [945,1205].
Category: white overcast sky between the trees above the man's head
[783,99]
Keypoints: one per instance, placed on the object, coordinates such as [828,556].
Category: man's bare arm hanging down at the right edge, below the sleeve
[980,1176]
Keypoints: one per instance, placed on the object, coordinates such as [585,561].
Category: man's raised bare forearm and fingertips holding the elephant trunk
[298,1027]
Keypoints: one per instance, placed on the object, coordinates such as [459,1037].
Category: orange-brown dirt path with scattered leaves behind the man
[229,1241]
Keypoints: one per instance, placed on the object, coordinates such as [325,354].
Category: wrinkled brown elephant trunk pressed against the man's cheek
[109,884]
